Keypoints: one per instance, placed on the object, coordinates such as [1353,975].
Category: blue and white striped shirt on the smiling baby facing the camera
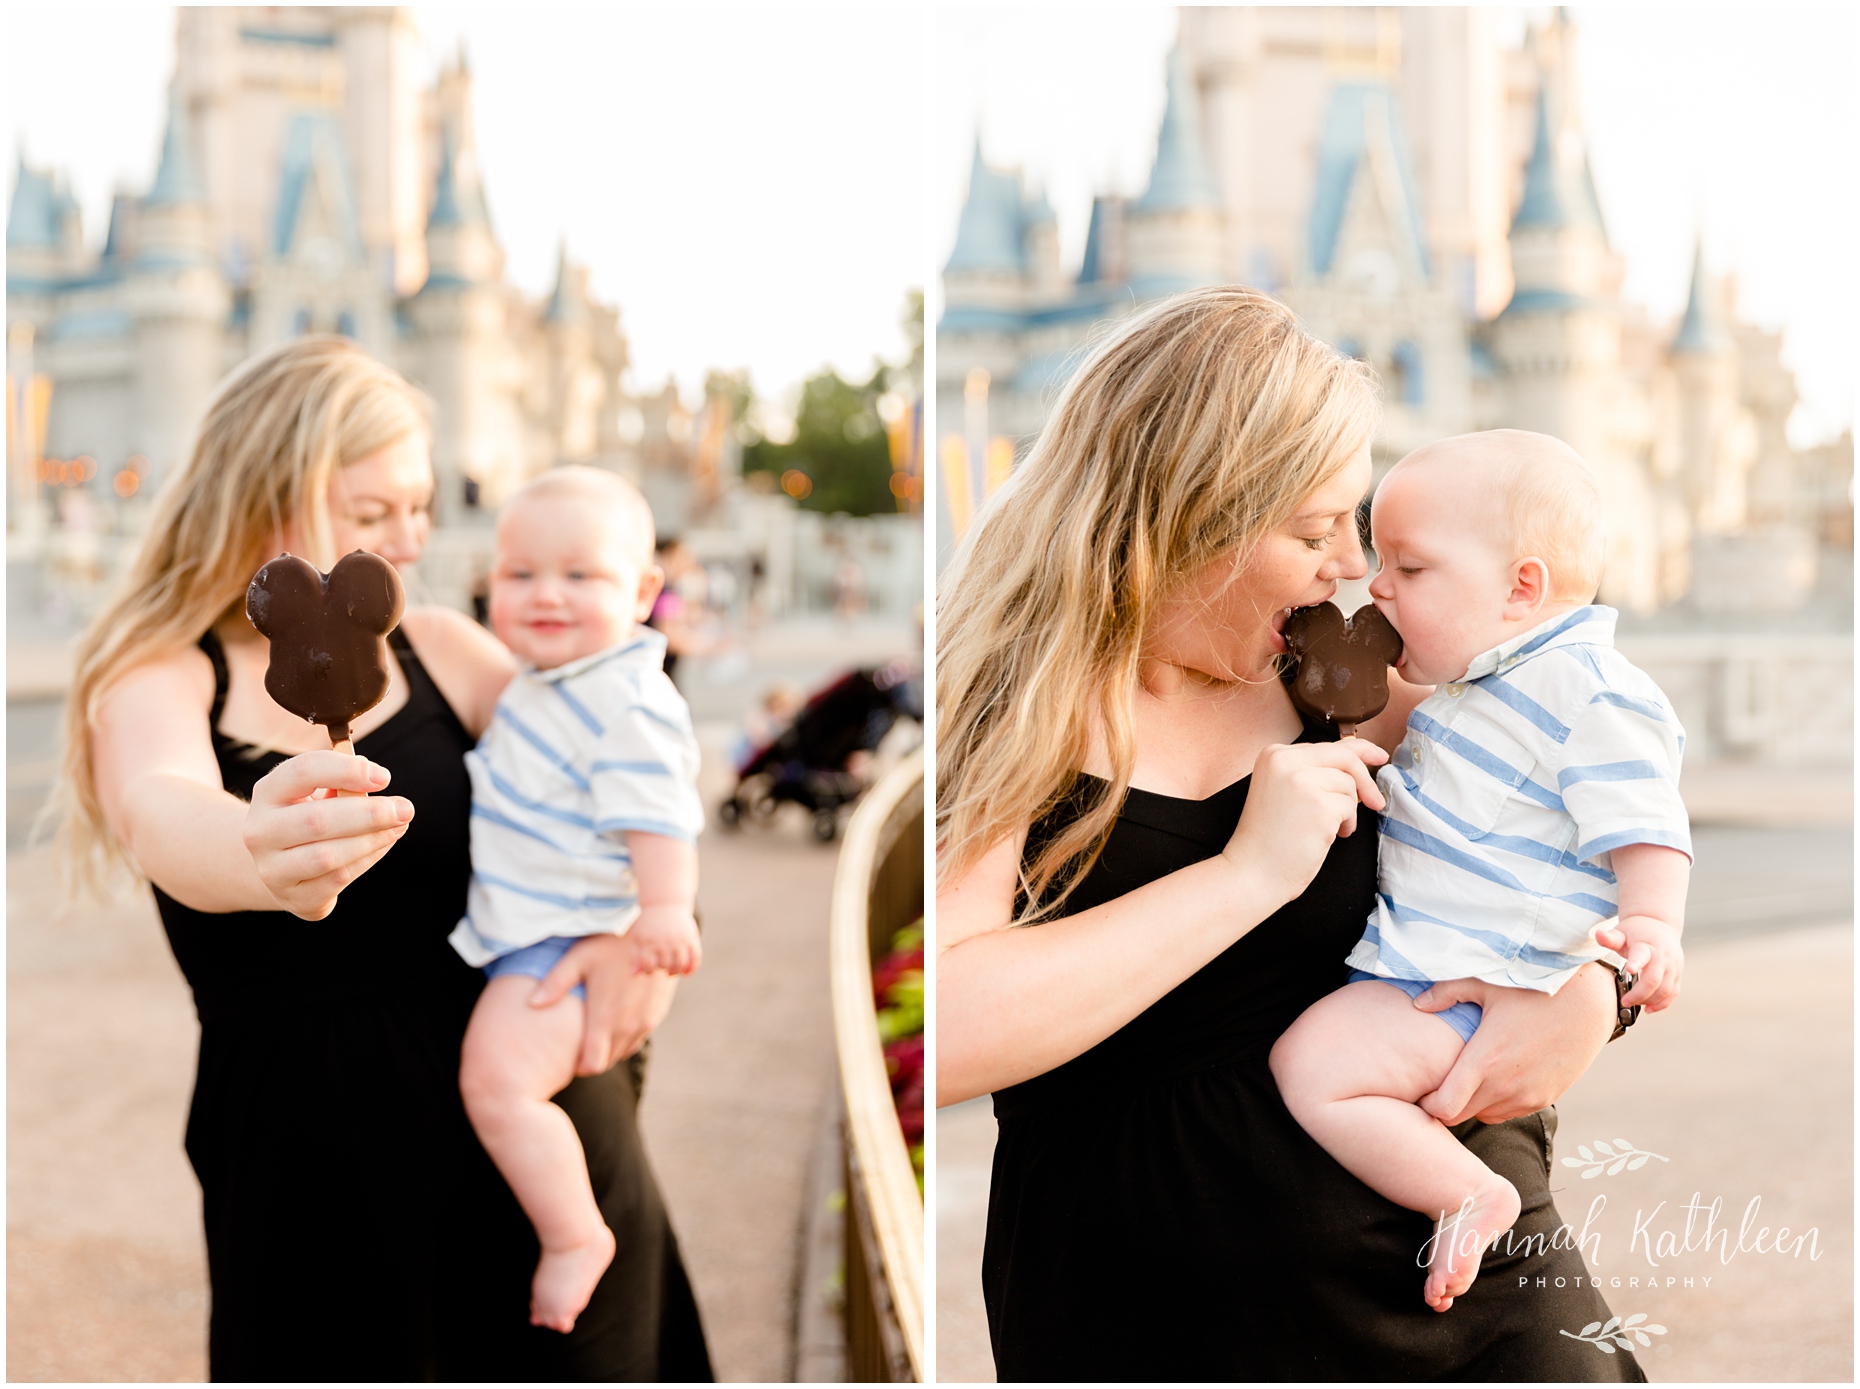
[576,758]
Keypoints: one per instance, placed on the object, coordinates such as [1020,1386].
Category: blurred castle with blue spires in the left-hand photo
[310,183]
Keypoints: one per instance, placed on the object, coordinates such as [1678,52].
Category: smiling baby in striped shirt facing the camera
[583,823]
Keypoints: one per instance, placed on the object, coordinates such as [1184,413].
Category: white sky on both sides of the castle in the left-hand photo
[745,183]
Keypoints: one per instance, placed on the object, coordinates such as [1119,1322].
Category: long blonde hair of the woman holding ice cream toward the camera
[272,436]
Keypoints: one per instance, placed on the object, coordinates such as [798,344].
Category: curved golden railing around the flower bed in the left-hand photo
[879,888]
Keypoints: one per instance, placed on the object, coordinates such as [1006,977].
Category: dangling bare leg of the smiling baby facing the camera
[516,1057]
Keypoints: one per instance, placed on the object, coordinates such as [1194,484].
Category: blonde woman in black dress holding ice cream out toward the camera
[354,1226]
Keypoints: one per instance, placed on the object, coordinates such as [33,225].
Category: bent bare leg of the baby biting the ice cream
[1351,1072]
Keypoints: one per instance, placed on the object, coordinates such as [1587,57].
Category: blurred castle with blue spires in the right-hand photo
[1420,194]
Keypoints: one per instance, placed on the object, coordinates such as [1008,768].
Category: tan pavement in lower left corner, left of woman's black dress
[107,1275]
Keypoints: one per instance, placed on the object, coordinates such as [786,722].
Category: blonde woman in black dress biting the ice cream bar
[1150,866]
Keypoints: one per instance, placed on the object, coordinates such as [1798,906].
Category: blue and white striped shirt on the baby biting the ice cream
[1504,804]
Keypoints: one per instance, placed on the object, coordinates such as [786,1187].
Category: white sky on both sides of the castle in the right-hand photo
[1734,122]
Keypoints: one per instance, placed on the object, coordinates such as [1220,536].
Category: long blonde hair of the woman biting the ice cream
[1186,438]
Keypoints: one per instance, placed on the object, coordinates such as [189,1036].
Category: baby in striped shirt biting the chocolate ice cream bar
[1534,819]
